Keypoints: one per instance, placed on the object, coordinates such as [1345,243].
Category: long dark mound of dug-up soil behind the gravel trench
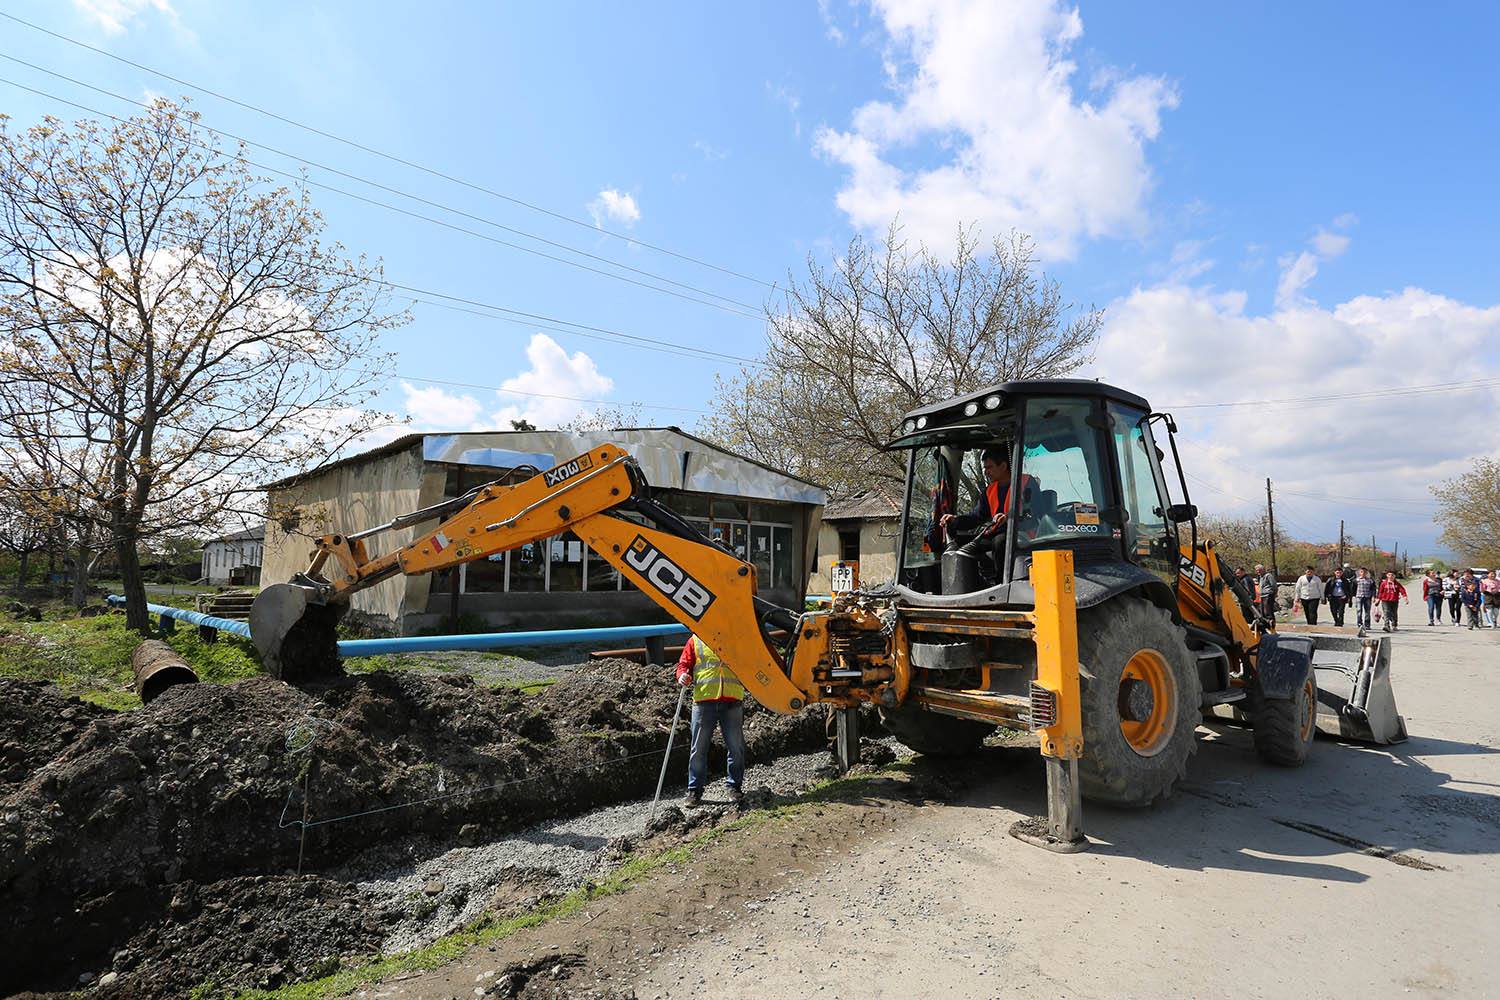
[208,783]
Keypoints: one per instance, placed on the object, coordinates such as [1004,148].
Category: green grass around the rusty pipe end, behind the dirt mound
[91,657]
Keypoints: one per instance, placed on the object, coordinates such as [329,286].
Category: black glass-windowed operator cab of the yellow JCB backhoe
[1081,472]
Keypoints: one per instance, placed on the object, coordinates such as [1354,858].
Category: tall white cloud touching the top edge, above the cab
[991,89]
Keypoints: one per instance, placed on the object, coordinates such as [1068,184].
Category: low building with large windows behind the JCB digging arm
[766,516]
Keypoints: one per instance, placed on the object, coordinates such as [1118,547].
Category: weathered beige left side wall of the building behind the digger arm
[352,499]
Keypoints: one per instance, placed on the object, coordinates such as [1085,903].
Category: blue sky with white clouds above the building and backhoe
[1288,214]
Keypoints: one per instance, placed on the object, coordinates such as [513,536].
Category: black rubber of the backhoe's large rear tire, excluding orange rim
[1111,770]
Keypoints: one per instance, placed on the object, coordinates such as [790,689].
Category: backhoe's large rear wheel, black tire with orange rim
[1130,639]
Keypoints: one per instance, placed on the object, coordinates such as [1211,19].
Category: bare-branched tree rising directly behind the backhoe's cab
[886,329]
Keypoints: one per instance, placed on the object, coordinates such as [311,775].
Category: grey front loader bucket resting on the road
[1354,689]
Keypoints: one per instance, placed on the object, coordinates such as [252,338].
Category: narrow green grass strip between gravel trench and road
[490,930]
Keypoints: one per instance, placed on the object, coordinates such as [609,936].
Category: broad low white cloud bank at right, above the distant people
[1184,347]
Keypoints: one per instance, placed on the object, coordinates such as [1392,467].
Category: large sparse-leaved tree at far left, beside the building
[175,319]
